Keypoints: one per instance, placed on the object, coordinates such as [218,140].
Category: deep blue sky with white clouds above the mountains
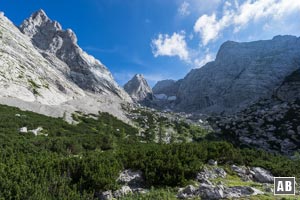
[162,39]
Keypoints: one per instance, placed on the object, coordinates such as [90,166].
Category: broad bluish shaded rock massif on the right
[241,74]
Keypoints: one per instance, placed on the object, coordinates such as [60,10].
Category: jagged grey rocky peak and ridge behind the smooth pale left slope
[84,70]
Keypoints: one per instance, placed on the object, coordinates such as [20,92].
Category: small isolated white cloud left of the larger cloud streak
[175,45]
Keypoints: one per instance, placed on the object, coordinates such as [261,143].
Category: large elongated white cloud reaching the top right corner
[210,27]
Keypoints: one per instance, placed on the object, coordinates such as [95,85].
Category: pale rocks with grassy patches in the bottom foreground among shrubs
[213,182]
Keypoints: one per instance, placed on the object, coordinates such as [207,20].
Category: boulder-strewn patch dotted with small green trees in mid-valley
[166,127]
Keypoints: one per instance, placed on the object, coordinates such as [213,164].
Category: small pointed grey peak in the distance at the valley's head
[138,89]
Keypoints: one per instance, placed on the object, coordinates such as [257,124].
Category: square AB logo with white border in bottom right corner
[284,185]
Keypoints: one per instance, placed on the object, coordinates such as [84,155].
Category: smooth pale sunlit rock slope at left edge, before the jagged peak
[26,75]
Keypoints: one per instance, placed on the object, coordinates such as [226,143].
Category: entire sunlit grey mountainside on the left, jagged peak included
[53,83]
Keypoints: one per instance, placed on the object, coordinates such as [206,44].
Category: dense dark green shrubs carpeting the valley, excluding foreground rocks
[76,161]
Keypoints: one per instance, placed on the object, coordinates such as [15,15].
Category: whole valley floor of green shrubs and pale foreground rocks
[101,157]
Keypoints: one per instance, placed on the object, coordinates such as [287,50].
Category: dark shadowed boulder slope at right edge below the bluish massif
[270,124]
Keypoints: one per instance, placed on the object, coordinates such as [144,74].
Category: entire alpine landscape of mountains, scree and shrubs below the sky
[69,131]
